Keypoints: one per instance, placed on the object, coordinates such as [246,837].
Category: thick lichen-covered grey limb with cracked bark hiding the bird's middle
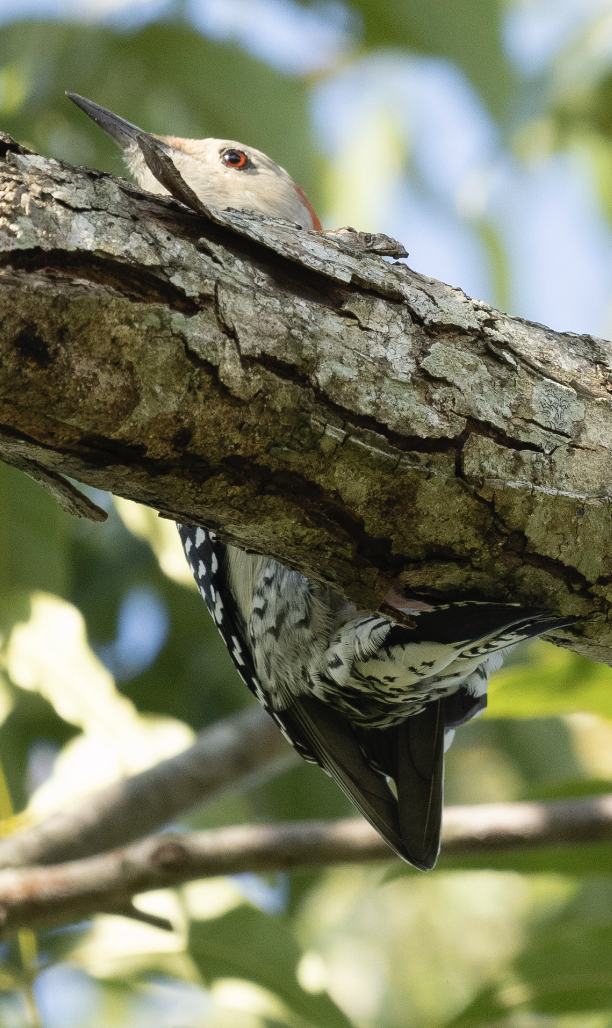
[304,397]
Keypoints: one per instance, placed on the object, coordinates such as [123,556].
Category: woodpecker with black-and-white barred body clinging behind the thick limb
[373,702]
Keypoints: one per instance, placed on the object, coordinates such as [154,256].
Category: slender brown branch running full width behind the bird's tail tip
[69,892]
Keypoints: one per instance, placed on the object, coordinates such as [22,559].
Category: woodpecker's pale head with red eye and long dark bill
[223,173]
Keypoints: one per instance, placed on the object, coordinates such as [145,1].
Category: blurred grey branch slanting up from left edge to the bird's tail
[228,756]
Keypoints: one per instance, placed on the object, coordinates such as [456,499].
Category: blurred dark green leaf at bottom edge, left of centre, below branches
[261,948]
